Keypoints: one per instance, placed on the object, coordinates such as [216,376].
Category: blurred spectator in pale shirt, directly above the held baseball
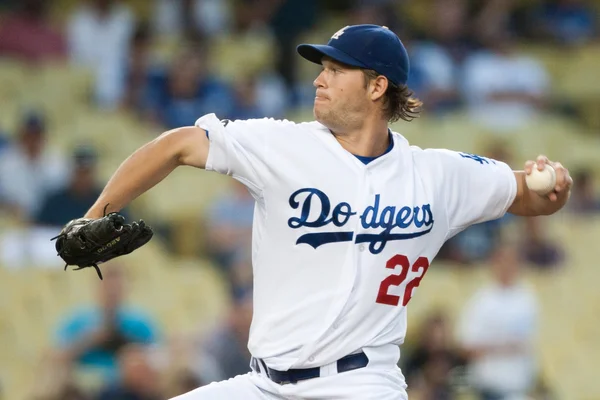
[502,88]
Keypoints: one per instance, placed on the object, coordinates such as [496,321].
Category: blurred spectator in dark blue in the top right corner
[567,22]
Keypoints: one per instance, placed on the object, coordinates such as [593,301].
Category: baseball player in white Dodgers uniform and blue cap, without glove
[348,219]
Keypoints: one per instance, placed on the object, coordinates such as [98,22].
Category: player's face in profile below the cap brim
[341,97]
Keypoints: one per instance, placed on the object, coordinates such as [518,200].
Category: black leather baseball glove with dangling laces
[88,242]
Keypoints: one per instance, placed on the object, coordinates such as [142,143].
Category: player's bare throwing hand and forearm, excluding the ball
[528,203]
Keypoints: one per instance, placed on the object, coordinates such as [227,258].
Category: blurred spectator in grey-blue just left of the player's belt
[225,353]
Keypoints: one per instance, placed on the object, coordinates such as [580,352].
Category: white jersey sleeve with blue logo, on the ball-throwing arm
[476,189]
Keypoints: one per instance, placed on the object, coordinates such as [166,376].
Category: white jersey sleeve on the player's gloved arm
[239,148]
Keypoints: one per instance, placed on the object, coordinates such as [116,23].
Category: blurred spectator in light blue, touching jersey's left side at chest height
[230,224]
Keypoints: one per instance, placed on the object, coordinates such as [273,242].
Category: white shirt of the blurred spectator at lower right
[496,316]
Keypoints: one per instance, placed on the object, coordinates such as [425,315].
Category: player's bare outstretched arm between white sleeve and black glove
[150,164]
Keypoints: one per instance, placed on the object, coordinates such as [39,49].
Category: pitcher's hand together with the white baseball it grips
[547,178]
